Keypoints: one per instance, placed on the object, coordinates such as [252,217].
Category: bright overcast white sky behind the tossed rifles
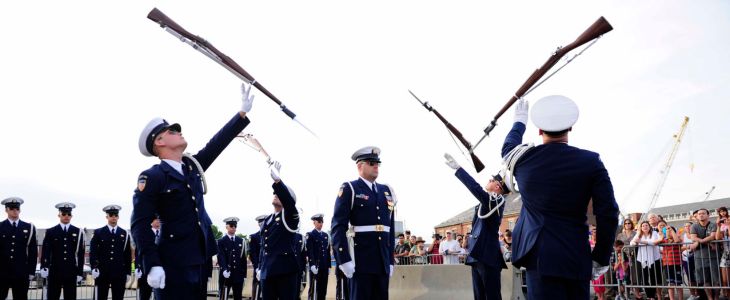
[79,81]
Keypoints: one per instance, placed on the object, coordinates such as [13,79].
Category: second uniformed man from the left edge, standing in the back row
[62,256]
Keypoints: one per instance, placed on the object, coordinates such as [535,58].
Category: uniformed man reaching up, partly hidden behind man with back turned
[485,255]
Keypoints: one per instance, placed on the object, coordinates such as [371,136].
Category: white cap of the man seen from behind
[554,113]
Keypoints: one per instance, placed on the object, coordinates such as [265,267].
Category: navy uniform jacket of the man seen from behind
[556,182]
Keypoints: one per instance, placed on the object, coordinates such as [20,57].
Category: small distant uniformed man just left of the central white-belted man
[318,252]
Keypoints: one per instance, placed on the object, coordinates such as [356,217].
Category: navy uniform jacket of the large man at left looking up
[186,238]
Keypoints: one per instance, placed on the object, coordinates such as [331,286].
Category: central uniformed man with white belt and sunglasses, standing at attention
[367,257]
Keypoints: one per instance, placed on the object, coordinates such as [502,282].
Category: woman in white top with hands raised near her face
[648,256]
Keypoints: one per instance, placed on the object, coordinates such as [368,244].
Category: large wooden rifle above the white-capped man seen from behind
[593,32]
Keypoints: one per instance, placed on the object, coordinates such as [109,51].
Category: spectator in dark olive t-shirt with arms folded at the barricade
[706,260]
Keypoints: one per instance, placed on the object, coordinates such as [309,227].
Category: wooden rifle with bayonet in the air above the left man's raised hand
[203,46]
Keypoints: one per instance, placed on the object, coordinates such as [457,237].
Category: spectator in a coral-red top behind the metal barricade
[671,260]
